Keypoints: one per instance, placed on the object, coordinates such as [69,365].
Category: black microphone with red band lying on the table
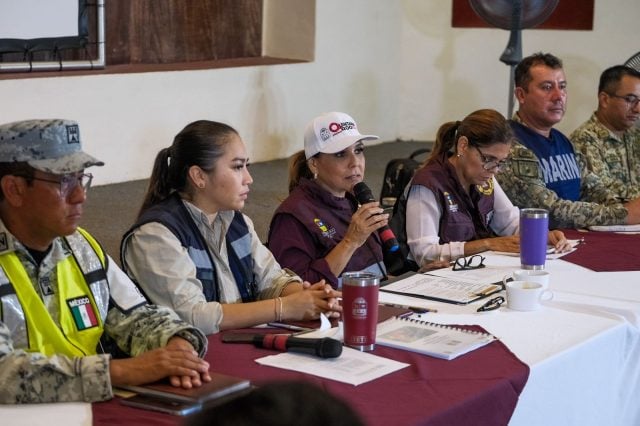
[323,348]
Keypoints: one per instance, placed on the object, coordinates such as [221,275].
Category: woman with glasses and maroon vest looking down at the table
[455,207]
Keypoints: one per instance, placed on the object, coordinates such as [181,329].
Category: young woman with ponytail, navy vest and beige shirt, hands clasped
[191,249]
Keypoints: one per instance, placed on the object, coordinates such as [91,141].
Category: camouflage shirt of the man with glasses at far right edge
[615,160]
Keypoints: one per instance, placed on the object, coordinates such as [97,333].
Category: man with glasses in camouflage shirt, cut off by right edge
[609,142]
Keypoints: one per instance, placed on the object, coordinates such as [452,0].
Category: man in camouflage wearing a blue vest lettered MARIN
[544,171]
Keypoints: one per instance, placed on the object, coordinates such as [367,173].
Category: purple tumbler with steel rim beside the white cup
[534,230]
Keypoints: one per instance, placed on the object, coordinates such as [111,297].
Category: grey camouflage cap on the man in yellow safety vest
[52,146]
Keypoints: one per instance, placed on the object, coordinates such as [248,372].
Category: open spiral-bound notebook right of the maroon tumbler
[437,340]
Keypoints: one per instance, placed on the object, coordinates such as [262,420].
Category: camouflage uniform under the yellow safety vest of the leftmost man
[28,377]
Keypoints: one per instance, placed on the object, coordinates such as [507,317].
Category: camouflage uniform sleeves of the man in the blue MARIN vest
[522,180]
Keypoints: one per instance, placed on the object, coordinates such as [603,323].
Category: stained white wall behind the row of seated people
[396,65]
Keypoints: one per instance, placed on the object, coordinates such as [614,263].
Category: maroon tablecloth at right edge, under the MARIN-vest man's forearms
[605,251]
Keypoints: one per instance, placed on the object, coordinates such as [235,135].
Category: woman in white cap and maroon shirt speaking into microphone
[320,230]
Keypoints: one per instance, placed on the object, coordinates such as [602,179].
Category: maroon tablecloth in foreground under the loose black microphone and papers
[479,388]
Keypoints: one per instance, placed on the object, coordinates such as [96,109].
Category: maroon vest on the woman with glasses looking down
[465,217]
